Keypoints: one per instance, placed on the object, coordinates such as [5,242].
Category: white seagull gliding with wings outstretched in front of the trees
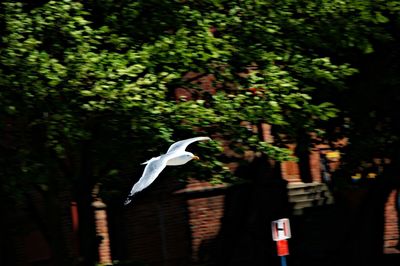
[176,155]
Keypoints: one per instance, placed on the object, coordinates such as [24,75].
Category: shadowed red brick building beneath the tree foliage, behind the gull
[176,224]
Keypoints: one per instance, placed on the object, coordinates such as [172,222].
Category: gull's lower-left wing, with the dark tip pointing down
[153,168]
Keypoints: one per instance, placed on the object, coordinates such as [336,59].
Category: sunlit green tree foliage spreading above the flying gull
[88,87]
